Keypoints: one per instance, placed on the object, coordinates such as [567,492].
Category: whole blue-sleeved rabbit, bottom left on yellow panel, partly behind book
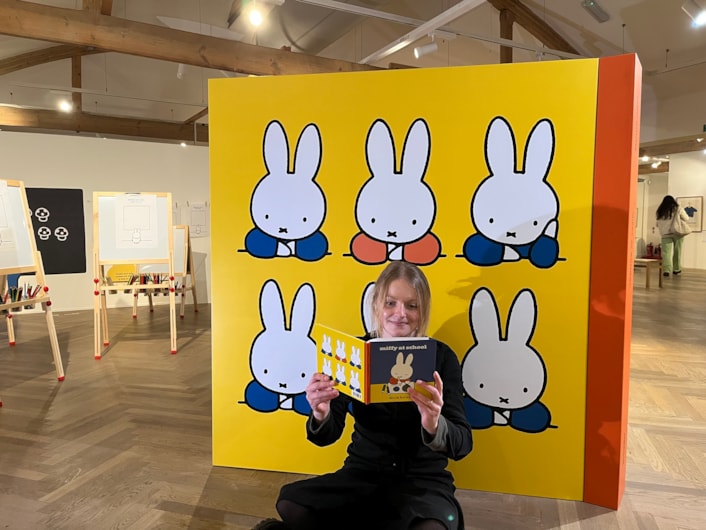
[282,360]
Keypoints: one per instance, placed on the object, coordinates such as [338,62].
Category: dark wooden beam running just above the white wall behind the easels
[81,122]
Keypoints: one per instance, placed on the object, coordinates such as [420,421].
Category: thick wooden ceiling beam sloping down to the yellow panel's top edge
[86,28]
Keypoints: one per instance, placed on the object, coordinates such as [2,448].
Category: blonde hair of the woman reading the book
[401,270]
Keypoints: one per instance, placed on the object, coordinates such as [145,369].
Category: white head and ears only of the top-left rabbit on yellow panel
[289,204]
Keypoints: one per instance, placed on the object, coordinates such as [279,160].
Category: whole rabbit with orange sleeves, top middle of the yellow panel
[395,210]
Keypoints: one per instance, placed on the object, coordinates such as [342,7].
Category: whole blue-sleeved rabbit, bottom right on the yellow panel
[504,377]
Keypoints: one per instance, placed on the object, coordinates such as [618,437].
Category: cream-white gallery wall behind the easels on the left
[96,164]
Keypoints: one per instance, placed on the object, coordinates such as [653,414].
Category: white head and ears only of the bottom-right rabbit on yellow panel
[505,373]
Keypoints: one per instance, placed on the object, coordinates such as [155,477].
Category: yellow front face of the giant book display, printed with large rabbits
[484,176]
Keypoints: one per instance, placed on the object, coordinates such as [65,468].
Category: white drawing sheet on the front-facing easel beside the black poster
[136,221]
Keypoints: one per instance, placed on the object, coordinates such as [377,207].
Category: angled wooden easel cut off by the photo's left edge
[19,255]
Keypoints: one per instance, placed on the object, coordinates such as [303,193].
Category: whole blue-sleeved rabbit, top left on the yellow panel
[288,207]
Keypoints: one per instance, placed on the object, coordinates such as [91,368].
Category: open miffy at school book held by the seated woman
[376,370]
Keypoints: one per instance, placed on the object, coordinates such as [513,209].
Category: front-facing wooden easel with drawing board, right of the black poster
[131,228]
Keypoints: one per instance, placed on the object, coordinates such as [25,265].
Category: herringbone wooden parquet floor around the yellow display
[125,442]
